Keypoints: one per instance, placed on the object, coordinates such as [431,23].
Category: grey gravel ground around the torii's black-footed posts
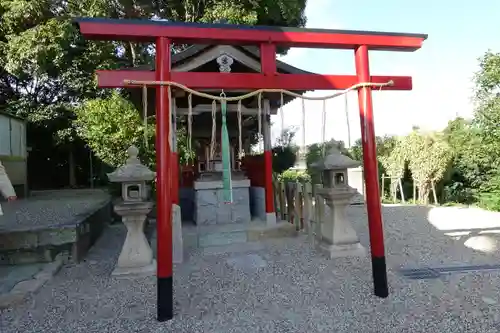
[293,290]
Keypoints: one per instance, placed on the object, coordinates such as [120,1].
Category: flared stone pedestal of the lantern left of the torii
[136,257]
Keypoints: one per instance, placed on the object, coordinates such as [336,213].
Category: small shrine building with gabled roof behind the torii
[199,182]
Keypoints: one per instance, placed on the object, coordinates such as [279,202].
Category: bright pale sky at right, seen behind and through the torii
[460,31]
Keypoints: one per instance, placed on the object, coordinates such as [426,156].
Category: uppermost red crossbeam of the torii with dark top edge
[148,30]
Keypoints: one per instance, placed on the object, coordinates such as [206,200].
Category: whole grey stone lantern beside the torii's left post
[136,257]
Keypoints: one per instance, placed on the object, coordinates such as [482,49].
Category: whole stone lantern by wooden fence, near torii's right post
[337,237]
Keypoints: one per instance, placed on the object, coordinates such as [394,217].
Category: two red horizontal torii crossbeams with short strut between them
[267,37]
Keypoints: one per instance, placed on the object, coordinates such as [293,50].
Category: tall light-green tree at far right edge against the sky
[477,145]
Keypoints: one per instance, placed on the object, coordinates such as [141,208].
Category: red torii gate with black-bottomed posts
[164,33]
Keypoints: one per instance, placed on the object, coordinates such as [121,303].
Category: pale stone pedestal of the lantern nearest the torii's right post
[338,237]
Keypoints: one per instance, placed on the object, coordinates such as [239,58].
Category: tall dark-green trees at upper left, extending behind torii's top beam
[47,68]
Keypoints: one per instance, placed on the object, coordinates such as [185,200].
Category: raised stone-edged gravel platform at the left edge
[36,231]
